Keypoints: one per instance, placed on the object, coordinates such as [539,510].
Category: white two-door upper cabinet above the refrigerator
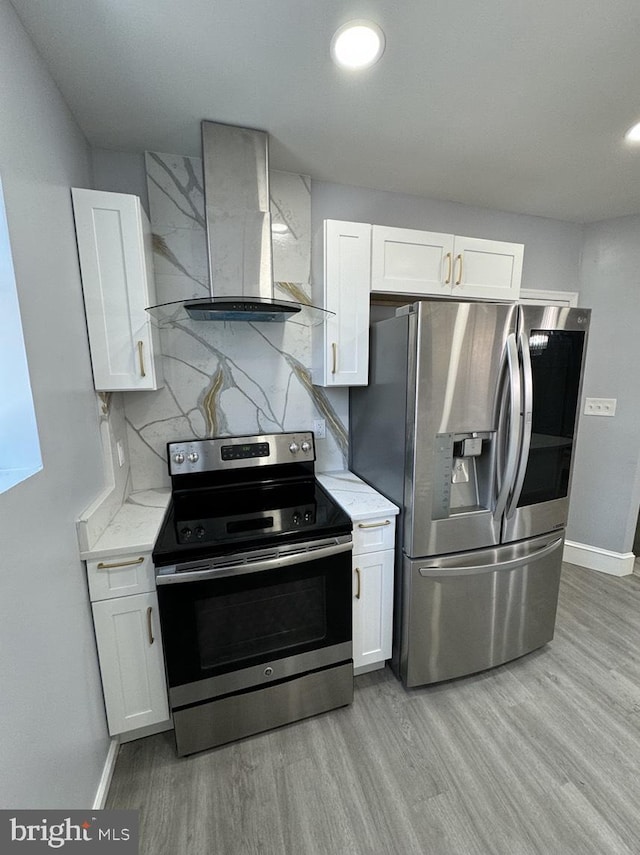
[413,262]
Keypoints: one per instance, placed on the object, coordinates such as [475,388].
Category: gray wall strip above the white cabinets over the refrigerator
[552,247]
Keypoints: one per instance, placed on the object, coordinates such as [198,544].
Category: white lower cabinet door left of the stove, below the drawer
[131,661]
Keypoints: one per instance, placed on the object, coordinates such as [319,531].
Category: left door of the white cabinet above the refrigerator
[408,261]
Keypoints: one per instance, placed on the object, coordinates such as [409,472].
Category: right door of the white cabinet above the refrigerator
[487,269]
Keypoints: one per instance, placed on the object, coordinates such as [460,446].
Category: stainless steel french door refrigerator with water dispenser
[468,424]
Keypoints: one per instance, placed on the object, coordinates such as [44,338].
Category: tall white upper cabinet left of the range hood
[115,251]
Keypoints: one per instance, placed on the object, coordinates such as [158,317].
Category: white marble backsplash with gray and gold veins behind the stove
[229,378]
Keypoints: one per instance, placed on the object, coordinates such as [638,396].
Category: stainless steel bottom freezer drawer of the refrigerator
[467,612]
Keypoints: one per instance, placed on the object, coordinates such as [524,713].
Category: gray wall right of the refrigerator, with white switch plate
[606,483]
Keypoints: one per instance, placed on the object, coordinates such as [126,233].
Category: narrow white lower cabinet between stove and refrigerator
[373,568]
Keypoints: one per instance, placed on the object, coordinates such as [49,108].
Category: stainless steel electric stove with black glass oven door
[253,572]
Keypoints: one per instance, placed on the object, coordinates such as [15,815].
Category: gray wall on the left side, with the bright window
[53,739]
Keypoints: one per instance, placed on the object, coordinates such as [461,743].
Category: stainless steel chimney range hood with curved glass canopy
[238,222]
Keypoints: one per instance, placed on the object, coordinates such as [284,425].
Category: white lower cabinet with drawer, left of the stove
[129,645]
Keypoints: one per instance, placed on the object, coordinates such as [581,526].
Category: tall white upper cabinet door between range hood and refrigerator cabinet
[341,356]
